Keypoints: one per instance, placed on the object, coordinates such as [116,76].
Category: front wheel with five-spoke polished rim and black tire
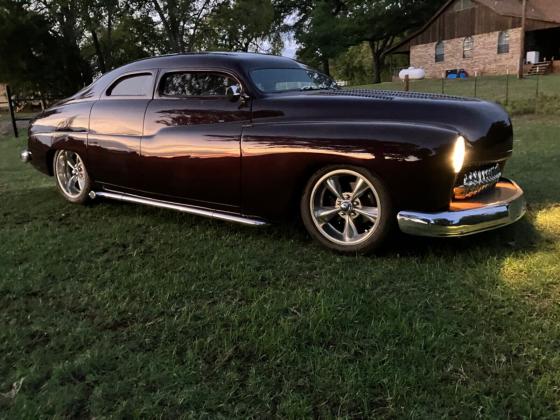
[347,209]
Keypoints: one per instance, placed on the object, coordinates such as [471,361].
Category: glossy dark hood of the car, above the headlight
[486,126]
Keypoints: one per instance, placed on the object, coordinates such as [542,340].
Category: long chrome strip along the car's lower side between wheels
[178,207]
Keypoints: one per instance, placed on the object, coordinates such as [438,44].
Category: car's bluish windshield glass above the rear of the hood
[282,80]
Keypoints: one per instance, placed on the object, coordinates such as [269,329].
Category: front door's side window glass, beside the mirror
[195,84]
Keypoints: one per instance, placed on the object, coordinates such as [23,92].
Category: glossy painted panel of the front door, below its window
[194,145]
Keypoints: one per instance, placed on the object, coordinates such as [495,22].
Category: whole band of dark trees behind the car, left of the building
[77,40]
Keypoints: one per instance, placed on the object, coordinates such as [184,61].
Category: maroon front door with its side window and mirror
[191,144]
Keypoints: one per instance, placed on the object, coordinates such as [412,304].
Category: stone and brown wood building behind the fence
[486,37]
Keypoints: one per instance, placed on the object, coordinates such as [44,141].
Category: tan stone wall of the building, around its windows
[485,60]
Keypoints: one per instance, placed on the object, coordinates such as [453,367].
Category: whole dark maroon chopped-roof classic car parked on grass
[254,138]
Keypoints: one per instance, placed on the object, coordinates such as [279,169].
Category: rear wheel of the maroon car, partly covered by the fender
[71,175]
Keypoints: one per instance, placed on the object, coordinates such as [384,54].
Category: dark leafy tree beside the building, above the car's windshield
[335,30]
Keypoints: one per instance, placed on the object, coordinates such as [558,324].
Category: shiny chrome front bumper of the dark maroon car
[501,206]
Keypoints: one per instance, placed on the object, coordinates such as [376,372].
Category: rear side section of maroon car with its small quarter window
[116,128]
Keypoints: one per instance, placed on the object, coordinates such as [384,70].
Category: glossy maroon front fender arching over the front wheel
[412,159]
